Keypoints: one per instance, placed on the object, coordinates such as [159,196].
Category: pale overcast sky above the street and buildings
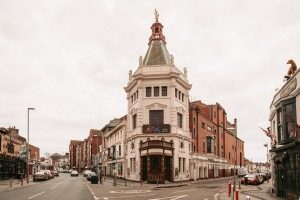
[70,60]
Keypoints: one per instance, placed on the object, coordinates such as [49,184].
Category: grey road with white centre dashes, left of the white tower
[63,187]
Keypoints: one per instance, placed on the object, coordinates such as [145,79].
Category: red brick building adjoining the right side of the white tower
[214,144]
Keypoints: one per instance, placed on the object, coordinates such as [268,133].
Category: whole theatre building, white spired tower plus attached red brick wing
[167,137]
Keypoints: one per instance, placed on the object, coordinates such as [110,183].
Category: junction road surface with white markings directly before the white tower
[202,190]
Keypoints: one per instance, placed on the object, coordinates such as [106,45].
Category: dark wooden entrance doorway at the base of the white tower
[156,168]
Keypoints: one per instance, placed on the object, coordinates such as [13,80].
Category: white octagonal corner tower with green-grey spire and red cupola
[158,137]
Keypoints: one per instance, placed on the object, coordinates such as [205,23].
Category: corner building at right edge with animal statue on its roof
[285,131]
